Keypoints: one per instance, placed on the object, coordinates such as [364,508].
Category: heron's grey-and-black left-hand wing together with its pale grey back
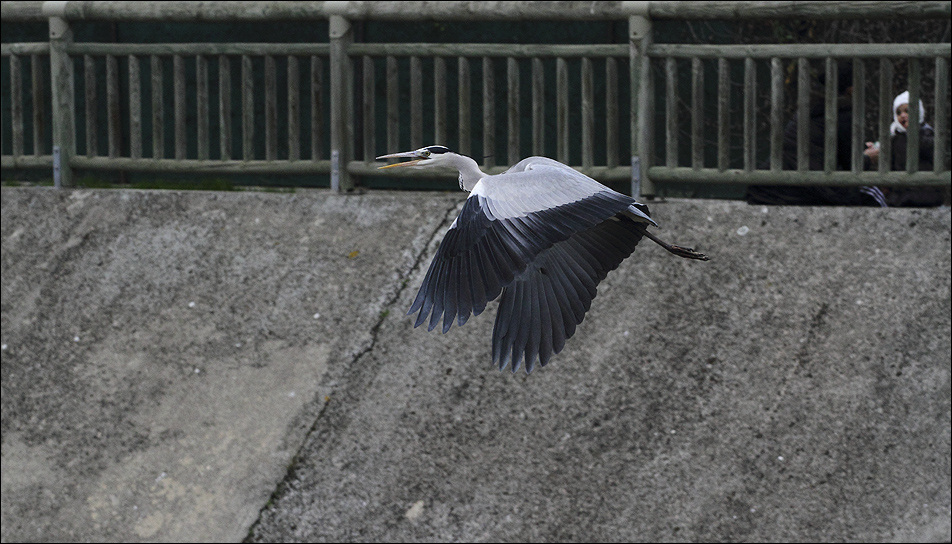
[507,221]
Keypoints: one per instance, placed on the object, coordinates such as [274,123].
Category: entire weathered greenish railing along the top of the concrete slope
[326,121]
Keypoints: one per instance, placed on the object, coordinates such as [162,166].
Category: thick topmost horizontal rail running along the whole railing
[257,10]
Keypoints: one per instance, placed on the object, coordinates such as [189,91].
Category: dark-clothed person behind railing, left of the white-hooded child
[820,195]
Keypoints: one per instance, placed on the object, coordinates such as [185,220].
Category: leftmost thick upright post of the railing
[61,77]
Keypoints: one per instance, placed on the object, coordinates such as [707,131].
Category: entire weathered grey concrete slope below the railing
[796,387]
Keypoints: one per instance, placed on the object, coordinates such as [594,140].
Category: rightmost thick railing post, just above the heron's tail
[639,35]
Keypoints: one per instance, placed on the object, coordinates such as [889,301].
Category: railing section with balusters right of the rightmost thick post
[828,55]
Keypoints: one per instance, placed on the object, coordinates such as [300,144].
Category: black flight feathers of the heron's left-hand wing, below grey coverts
[483,252]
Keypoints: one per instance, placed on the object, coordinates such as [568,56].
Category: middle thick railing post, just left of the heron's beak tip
[342,130]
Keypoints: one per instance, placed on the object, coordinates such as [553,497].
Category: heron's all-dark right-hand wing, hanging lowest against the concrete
[550,298]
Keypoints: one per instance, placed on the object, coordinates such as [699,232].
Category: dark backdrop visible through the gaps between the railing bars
[582,32]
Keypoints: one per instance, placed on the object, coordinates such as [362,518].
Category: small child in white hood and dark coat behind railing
[898,130]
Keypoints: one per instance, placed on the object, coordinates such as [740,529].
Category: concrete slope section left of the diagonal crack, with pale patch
[165,354]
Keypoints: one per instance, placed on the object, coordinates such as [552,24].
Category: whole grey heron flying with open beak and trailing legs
[539,236]
